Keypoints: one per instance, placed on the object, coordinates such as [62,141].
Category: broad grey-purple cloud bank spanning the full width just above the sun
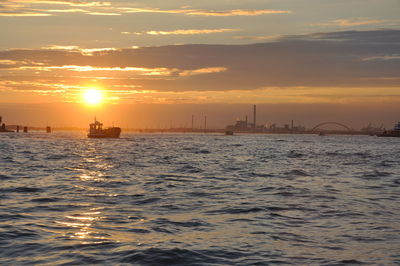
[345,60]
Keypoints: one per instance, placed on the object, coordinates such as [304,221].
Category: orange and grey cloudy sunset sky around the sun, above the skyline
[220,56]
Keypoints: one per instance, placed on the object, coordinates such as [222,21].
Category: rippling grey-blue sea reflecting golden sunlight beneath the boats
[199,199]
